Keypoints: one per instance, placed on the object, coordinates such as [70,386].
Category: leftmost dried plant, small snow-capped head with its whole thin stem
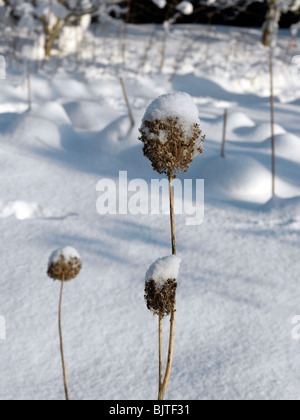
[64,265]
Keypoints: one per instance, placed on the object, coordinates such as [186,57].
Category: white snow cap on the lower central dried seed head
[164,269]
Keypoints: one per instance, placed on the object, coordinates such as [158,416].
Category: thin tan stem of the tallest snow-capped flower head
[172,321]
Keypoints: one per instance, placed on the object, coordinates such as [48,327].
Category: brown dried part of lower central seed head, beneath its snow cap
[161,300]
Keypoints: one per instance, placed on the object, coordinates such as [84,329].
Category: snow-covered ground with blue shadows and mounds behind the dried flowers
[239,279]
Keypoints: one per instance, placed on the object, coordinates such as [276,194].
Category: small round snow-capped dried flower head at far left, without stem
[64,264]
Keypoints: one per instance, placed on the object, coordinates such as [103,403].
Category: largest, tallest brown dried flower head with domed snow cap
[171,134]
